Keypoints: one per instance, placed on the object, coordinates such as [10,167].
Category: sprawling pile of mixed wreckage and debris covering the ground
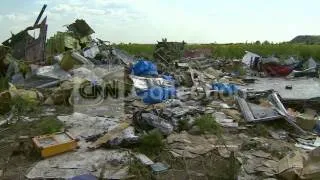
[204,108]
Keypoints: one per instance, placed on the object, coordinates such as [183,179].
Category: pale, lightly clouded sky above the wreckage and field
[148,21]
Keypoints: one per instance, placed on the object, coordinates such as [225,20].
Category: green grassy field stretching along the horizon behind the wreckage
[230,51]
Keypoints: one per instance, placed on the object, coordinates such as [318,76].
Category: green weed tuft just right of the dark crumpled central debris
[208,124]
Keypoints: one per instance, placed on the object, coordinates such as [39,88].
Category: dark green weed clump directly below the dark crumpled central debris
[151,143]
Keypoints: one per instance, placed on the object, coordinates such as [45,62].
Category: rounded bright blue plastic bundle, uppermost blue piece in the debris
[145,68]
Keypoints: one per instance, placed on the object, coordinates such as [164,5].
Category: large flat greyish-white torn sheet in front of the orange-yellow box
[111,164]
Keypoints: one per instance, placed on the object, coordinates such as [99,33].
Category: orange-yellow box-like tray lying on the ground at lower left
[53,144]
